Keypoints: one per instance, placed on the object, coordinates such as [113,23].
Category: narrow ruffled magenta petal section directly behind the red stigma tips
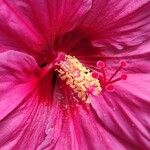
[136,59]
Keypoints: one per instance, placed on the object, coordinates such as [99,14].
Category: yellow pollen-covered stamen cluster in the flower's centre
[78,77]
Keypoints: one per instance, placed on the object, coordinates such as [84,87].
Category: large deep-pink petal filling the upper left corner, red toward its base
[35,26]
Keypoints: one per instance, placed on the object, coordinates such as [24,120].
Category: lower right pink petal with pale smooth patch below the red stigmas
[125,112]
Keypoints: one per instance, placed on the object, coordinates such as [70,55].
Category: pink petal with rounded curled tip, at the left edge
[16,72]
